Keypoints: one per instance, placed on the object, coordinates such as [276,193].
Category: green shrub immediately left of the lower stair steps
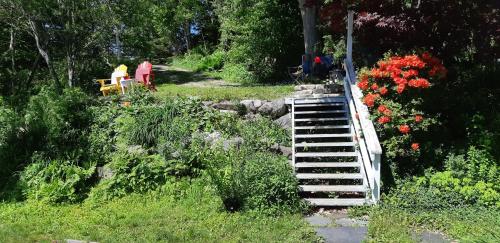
[254,181]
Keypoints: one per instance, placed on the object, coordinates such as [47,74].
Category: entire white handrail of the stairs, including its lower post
[369,145]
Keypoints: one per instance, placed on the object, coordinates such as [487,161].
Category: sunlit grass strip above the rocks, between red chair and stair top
[226,92]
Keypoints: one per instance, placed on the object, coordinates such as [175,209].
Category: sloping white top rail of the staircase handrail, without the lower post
[369,133]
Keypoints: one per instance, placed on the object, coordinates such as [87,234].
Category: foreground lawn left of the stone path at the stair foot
[140,218]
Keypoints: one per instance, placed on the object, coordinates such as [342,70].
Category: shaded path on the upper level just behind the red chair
[181,76]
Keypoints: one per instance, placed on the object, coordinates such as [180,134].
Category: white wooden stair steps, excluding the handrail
[326,161]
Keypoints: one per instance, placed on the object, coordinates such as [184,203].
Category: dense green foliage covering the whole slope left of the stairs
[147,146]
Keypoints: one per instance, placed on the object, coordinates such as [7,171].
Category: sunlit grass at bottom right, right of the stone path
[463,224]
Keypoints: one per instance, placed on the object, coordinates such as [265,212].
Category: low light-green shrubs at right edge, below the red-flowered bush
[472,179]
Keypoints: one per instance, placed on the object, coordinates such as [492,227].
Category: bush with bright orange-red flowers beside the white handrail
[393,91]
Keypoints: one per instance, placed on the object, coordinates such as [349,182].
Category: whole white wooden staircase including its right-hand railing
[336,152]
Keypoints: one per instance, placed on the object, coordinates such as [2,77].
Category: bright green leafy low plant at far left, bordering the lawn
[56,181]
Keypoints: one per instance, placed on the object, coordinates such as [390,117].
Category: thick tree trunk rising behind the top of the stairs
[308,13]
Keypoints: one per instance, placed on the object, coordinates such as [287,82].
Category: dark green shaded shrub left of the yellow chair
[57,124]
